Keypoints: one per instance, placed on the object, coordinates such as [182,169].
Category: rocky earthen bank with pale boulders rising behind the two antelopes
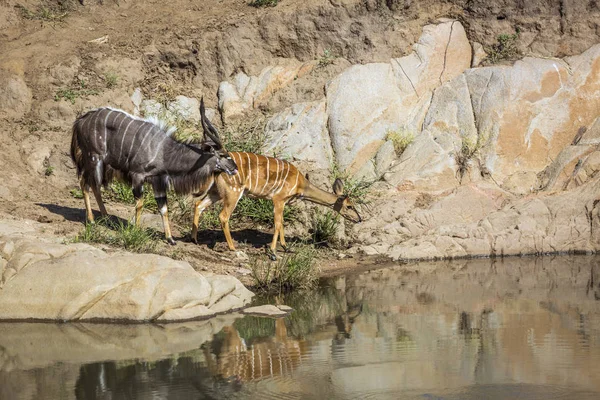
[496,158]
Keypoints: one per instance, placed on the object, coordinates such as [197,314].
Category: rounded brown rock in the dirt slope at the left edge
[15,96]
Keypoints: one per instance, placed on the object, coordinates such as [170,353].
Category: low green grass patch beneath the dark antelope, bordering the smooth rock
[119,234]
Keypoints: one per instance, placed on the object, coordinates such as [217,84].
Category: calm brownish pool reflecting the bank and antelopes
[514,329]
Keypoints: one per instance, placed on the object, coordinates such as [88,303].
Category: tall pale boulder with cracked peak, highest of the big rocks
[366,102]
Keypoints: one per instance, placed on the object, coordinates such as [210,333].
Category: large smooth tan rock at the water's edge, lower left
[44,280]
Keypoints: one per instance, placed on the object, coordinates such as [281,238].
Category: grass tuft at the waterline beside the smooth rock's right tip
[294,270]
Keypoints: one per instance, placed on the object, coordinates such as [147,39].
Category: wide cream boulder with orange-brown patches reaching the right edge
[509,122]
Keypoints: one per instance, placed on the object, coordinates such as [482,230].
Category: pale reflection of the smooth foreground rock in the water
[33,346]
